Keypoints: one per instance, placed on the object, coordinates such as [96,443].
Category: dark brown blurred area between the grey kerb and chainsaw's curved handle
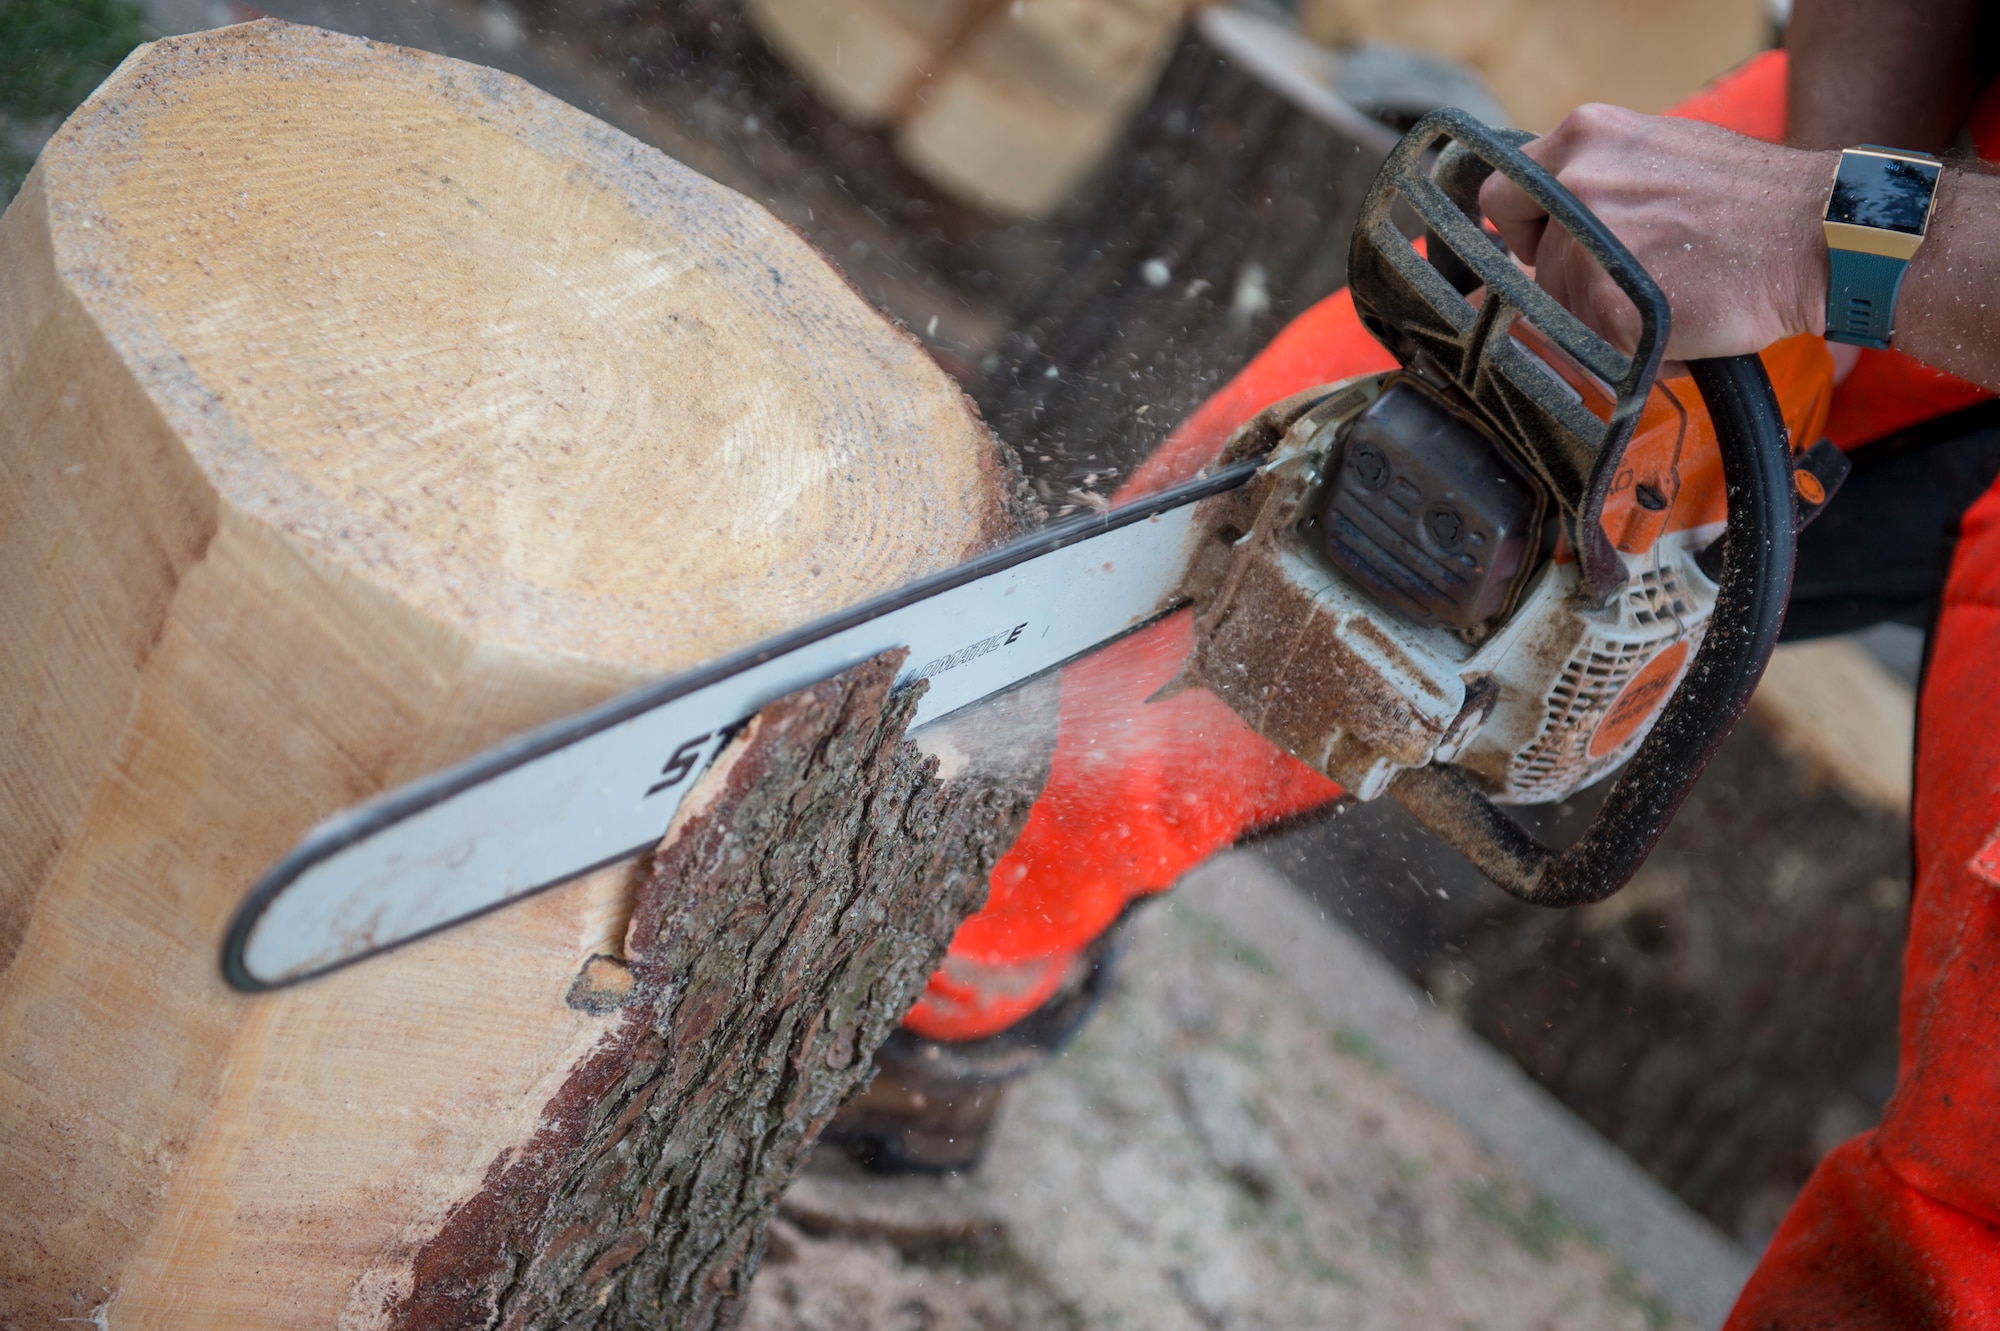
[1725,1020]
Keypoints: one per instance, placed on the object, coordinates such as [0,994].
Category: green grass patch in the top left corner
[53,53]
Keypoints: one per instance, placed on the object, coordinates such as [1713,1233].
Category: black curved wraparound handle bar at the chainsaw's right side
[1759,551]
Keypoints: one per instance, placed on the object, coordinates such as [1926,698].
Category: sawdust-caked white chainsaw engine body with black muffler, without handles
[1367,635]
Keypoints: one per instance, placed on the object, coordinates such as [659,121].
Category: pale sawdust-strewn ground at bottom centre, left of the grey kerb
[1209,1154]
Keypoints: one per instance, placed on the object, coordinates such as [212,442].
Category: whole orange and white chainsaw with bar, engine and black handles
[1447,585]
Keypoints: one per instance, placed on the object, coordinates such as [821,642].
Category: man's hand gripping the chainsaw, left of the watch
[1729,227]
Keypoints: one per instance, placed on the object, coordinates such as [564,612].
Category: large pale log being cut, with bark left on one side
[361,409]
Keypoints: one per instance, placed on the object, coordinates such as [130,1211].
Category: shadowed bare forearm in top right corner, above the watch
[1897,73]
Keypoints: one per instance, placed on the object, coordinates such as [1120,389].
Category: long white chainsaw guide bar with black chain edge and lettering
[603,786]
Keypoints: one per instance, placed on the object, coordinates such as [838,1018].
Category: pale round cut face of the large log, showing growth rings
[477,349]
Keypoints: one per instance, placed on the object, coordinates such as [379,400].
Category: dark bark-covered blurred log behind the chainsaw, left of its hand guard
[1223,213]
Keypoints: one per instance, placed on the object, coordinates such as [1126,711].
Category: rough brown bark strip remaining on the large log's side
[783,932]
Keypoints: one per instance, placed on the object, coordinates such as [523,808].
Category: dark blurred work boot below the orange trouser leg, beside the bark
[933,1102]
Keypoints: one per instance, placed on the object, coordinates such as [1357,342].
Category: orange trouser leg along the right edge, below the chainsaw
[1901,1228]
